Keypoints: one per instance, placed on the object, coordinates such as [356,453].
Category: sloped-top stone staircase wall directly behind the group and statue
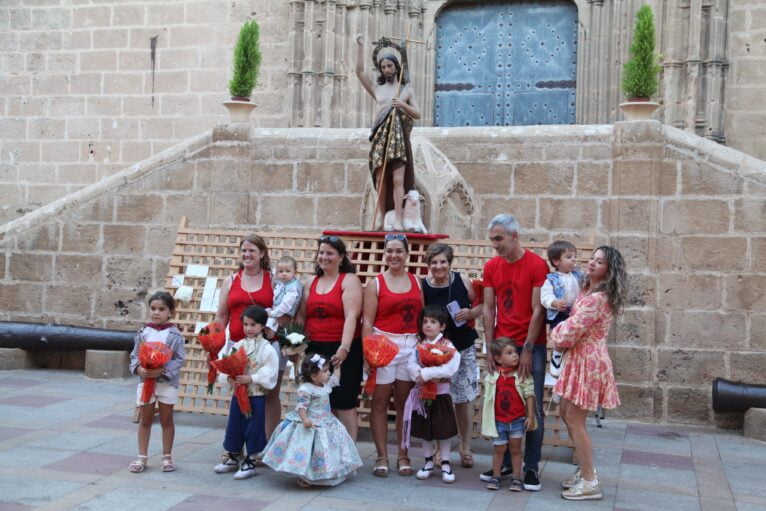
[688,214]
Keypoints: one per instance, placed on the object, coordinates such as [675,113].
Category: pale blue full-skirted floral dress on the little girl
[325,454]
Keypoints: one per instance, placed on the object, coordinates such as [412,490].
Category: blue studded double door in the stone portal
[502,64]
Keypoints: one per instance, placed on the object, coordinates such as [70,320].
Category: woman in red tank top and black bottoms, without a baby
[330,311]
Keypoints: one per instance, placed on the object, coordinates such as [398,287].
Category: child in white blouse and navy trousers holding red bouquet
[260,377]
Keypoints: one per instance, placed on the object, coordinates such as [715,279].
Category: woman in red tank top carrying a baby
[251,285]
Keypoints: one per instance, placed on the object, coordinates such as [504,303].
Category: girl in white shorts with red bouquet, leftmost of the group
[159,330]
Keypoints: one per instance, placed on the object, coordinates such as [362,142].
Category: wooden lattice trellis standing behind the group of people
[217,253]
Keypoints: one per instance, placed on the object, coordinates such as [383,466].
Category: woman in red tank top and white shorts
[392,304]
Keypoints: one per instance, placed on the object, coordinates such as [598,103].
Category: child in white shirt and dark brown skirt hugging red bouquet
[435,419]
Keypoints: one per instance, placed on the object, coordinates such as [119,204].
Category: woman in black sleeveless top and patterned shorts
[455,292]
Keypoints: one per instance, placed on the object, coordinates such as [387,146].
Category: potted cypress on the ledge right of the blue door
[640,79]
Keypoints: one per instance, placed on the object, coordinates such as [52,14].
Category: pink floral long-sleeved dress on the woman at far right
[587,378]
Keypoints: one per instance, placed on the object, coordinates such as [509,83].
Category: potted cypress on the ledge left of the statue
[245,66]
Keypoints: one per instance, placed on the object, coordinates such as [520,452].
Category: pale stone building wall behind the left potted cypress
[82,95]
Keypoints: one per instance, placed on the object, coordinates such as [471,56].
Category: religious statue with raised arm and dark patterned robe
[391,161]
